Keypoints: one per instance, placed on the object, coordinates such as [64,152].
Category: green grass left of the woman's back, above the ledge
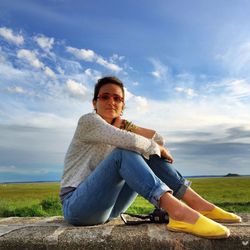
[30,199]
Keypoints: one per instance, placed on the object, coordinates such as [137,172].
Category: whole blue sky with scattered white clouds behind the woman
[185,65]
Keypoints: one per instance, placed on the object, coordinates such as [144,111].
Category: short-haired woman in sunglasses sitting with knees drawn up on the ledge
[111,160]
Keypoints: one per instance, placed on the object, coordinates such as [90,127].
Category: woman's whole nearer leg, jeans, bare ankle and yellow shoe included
[93,201]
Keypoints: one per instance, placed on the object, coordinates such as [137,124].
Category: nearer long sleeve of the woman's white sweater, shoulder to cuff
[94,129]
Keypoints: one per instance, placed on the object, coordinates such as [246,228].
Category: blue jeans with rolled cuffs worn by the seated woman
[112,187]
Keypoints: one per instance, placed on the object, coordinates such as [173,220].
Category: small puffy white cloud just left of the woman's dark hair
[76,90]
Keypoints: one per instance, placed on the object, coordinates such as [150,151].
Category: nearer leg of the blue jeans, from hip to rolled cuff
[94,199]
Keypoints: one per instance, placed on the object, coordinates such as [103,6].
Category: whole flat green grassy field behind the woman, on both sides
[41,199]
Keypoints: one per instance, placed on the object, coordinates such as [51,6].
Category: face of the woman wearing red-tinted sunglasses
[109,104]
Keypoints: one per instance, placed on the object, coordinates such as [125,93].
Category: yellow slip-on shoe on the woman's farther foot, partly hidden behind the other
[221,215]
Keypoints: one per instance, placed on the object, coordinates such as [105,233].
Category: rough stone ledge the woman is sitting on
[53,233]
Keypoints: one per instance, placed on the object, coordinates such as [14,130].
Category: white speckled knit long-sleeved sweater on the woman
[93,140]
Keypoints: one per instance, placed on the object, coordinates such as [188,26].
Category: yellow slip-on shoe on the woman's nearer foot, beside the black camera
[203,227]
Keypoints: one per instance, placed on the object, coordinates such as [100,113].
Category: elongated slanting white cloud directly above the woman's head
[91,56]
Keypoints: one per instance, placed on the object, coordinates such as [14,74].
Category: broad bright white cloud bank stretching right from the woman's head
[204,113]
